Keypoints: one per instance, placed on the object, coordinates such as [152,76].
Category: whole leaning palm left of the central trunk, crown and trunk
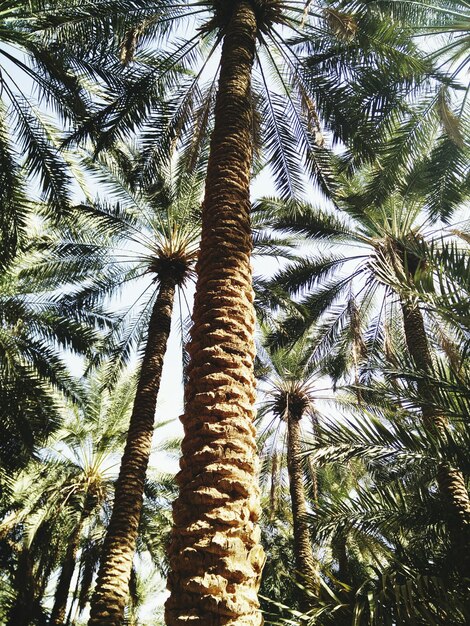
[148,240]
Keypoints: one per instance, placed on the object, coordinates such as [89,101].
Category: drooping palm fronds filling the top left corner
[53,73]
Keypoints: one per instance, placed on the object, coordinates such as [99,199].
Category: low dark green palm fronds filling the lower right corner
[393,513]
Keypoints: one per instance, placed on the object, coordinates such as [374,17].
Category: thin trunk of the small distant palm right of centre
[306,572]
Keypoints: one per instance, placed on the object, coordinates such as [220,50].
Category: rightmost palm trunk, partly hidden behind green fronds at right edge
[450,480]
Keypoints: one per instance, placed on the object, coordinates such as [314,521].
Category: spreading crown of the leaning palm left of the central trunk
[129,241]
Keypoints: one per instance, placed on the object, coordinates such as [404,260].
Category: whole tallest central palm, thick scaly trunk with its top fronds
[220,378]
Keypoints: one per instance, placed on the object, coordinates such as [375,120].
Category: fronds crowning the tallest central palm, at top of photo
[317,73]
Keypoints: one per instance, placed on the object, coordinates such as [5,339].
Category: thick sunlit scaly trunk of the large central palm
[215,553]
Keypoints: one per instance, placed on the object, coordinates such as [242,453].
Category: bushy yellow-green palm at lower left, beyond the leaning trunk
[65,490]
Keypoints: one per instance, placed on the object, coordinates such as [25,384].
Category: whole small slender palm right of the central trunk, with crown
[289,397]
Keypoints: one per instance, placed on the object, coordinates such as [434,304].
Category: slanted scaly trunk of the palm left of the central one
[112,586]
